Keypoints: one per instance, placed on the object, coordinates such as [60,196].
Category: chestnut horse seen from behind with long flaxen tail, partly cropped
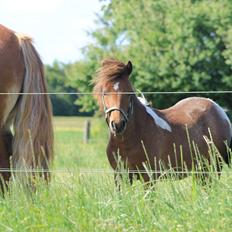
[30,115]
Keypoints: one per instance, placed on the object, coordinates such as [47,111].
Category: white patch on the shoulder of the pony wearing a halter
[158,120]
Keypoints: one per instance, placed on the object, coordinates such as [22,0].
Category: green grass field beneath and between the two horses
[83,201]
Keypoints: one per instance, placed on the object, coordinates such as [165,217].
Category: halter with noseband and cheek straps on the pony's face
[125,115]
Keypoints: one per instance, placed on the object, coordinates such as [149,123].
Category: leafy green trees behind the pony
[174,46]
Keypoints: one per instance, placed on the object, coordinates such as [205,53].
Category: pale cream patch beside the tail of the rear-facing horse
[10,102]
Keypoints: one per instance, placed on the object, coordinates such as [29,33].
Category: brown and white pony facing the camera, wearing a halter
[140,134]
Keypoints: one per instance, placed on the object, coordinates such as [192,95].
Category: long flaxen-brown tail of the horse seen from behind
[33,139]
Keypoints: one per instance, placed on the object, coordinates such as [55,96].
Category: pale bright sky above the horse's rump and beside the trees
[58,27]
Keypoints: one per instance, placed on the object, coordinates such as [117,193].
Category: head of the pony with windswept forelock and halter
[114,94]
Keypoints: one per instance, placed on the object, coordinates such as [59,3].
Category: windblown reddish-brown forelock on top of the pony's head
[110,70]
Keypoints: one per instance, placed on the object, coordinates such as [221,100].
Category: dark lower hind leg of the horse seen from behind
[5,153]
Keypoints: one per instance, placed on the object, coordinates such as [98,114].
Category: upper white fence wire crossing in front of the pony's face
[137,92]
